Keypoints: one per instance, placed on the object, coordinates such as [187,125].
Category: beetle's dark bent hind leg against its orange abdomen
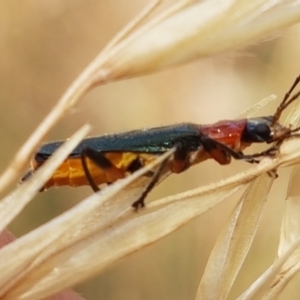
[102,162]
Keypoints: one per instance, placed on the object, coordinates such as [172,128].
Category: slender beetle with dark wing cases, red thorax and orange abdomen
[105,159]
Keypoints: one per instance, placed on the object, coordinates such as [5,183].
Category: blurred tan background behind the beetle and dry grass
[44,47]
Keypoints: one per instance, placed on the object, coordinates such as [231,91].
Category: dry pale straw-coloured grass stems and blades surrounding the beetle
[103,228]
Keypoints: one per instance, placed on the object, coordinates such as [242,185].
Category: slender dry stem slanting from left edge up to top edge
[86,80]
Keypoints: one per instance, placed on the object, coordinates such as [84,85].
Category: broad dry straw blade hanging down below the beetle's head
[234,242]
